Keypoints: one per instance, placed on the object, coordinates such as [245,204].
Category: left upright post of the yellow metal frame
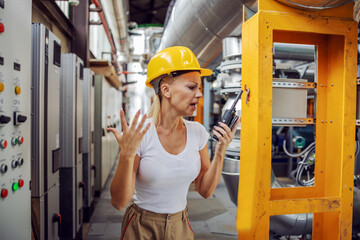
[256,115]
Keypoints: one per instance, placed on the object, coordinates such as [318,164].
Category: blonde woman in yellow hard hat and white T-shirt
[157,165]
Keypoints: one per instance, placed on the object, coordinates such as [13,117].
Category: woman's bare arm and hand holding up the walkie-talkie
[210,174]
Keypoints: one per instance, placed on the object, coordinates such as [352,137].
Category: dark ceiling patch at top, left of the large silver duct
[148,11]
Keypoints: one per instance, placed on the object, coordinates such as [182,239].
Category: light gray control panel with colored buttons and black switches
[15,140]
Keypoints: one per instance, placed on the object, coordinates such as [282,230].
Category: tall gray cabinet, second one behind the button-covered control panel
[71,145]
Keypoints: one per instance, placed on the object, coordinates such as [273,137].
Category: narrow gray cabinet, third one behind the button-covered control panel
[88,154]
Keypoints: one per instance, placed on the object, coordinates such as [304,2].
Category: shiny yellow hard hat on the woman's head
[173,59]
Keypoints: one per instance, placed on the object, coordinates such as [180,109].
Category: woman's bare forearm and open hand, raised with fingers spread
[123,183]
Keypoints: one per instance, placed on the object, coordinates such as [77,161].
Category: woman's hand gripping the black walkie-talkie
[225,137]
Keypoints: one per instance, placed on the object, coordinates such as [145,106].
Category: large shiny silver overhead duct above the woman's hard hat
[201,25]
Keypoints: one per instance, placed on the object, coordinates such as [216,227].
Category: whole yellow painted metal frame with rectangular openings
[335,35]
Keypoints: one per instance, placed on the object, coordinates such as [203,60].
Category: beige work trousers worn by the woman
[140,224]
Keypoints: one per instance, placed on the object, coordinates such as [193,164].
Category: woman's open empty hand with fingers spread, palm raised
[129,140]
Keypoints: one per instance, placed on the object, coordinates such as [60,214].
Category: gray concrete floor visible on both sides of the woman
[210,219]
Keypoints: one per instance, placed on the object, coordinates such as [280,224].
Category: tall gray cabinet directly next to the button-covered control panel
[45,131]
